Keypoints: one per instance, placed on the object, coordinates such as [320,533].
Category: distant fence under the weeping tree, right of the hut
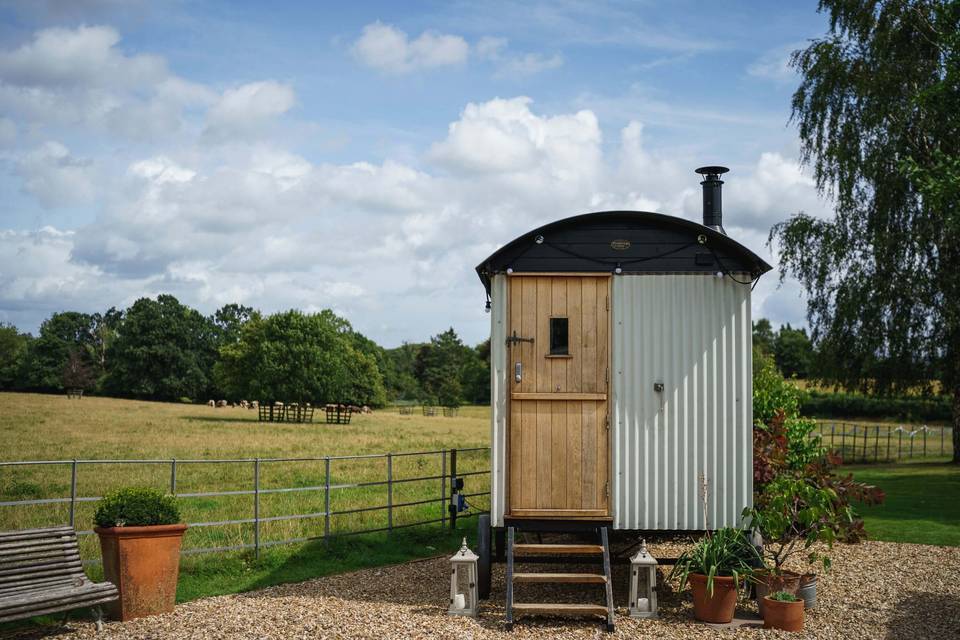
[859,442]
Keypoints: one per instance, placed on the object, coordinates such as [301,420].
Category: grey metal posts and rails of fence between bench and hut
[443,493]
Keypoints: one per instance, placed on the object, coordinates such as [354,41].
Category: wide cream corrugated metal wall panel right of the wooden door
[693,334]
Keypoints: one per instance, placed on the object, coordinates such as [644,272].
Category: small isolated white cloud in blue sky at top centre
[390,50]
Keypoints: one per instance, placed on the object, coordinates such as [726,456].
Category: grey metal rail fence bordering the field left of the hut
[348,495]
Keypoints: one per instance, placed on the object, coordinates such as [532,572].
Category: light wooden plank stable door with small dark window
[558,436]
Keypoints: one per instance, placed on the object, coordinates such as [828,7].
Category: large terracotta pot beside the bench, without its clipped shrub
[144,563]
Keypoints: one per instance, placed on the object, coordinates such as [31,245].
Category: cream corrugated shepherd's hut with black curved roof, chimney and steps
[621,380]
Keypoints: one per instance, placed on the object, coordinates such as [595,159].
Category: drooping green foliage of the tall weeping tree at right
[876,112]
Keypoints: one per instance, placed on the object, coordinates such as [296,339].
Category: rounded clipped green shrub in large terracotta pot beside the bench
[140,534]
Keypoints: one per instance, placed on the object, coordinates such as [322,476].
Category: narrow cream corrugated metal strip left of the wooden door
[499,387]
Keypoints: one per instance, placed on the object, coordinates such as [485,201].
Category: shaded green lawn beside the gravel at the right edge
[922,505]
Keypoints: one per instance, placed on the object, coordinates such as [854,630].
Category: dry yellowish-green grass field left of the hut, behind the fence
[43,427]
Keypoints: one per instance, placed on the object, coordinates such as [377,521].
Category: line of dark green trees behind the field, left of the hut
[161,349]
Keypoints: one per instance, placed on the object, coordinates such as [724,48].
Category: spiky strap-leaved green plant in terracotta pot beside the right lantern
[715,568]
